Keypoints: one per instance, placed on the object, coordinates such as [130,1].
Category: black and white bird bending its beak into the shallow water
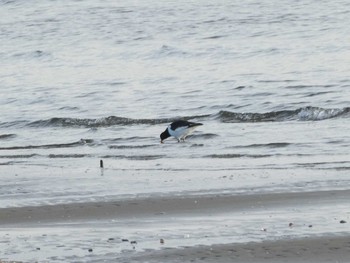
[179,129]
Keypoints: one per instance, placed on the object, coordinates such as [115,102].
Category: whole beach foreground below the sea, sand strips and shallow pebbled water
[274,227]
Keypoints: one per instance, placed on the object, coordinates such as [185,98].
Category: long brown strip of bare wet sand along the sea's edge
[165,206]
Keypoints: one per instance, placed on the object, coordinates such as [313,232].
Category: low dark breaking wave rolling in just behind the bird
[301,114]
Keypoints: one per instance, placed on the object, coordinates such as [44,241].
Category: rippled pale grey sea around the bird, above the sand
[98,80]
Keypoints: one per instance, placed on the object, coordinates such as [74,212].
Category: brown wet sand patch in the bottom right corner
[320,249]
